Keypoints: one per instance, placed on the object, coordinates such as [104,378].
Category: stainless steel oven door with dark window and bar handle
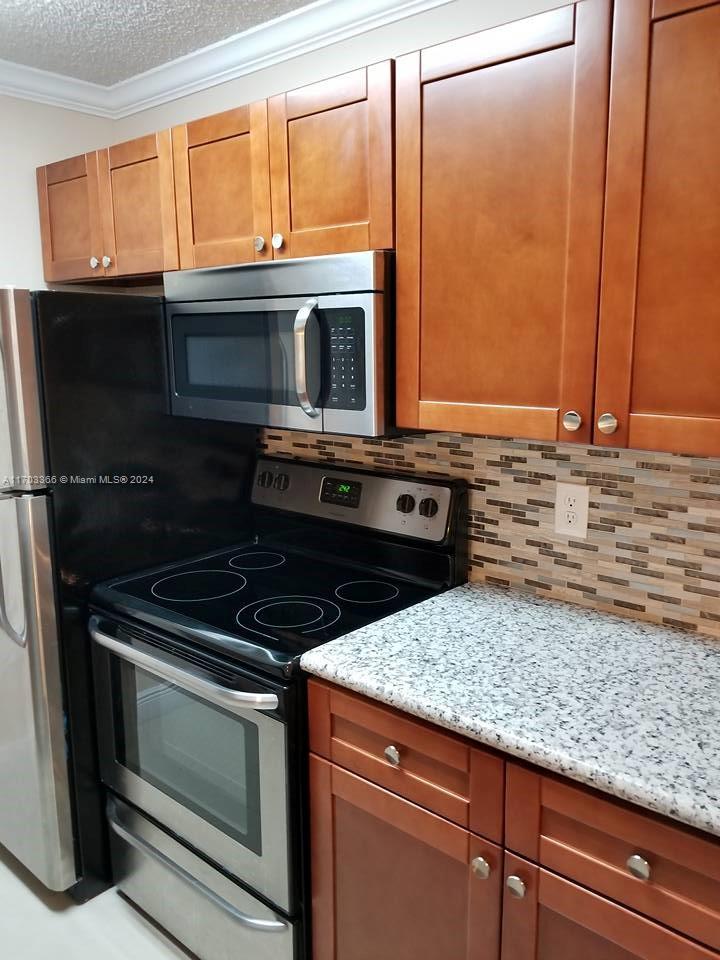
[202,752]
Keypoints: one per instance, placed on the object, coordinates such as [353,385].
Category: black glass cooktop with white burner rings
[266,605]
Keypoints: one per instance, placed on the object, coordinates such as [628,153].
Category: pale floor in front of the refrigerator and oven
[38,925]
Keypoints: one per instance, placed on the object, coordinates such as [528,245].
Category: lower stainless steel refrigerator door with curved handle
[35,814]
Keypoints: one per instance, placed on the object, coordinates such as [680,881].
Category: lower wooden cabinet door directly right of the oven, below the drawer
[392,881]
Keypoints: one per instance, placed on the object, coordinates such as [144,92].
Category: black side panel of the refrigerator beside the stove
[132,487]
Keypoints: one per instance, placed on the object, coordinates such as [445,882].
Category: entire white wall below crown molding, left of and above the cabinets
[33,134]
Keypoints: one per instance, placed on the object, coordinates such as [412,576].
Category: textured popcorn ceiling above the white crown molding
[105,42]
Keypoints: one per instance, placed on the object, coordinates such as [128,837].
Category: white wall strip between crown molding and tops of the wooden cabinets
[455,19]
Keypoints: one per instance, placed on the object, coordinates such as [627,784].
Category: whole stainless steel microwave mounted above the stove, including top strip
[303,344]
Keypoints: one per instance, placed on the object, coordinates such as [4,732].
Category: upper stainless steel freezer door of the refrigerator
[22,460]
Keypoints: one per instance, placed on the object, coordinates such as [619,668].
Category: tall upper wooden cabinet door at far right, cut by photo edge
[659,347]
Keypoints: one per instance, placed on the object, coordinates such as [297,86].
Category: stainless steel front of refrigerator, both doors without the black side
[35,808]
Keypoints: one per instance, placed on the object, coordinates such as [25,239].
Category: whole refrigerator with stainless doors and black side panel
[84,409]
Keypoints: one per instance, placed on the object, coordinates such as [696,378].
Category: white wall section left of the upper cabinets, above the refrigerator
[32,135]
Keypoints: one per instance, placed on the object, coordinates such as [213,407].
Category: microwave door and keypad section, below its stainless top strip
[309,364]
